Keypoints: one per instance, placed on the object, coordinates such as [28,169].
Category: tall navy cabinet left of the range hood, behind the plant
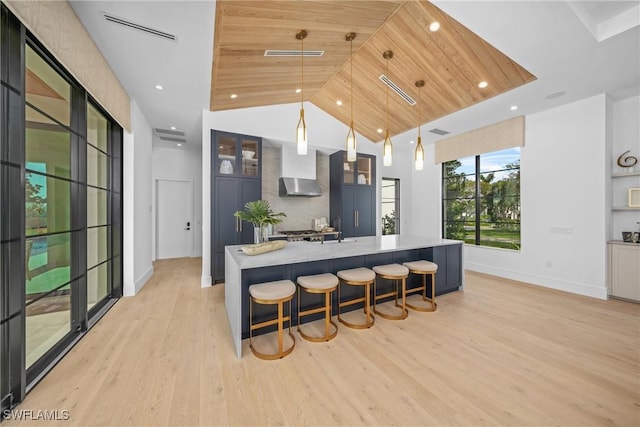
[235,180]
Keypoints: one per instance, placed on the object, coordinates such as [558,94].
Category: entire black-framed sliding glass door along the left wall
[60,206]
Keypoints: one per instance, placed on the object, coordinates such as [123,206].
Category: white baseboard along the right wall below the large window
[539,280]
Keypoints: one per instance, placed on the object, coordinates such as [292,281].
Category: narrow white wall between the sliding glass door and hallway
[137,206]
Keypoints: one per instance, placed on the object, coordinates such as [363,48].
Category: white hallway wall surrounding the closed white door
[186,165]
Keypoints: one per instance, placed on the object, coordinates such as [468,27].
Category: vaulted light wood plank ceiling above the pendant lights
[451,61]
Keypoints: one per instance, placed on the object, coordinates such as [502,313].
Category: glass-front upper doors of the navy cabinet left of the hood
[237,155]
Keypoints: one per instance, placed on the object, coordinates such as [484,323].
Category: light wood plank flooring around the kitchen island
[499,353]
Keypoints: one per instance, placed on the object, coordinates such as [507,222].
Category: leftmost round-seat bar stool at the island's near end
[277,292]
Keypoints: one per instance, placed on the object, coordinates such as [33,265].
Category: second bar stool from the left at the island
[318,284]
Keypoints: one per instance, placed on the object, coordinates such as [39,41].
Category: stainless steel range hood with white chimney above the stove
[298,174]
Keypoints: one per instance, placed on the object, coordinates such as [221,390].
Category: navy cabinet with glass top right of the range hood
[353,195]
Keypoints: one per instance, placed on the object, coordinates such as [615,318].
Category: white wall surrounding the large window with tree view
[564,205]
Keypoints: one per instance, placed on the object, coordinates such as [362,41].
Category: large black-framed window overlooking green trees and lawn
[481,199]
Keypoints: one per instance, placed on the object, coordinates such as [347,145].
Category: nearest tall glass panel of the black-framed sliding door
[48,225]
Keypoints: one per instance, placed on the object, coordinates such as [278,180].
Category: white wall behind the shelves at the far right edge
[626,136]
